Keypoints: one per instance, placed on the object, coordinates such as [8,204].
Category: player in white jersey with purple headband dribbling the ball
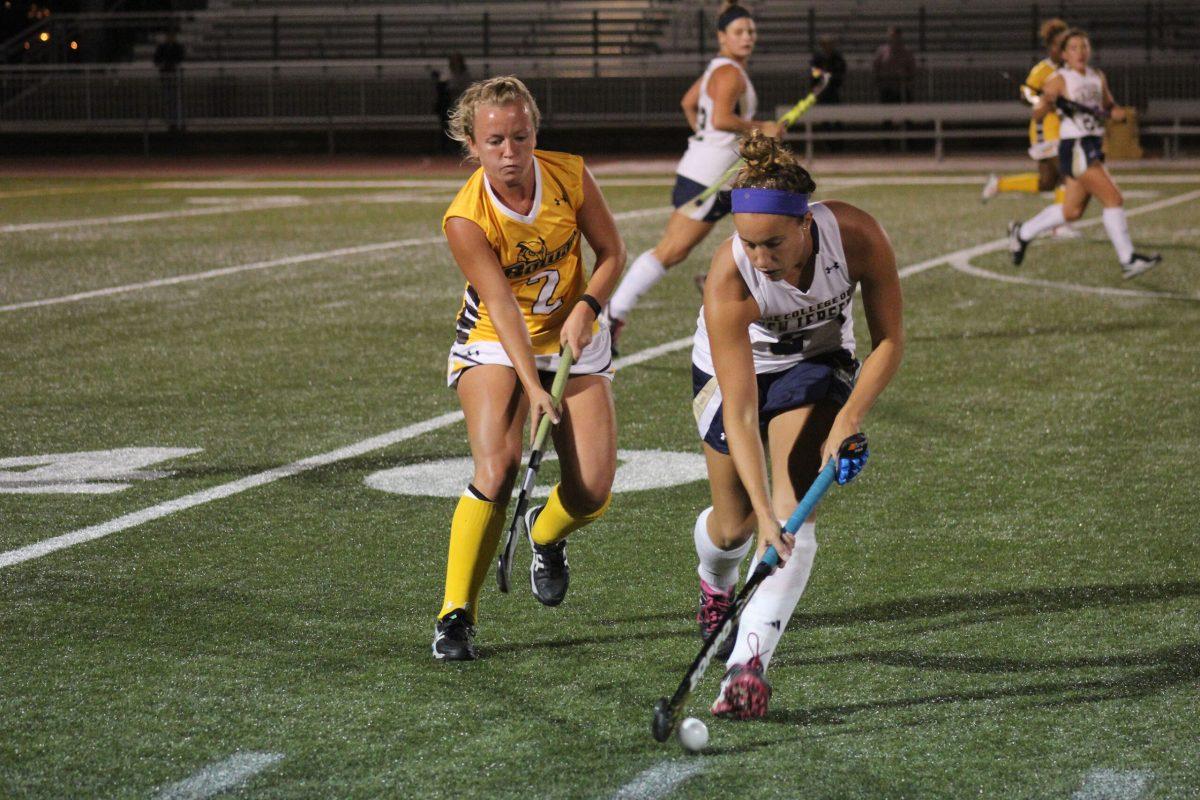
[775,359]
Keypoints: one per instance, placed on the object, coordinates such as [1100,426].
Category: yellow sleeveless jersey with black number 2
[541,254]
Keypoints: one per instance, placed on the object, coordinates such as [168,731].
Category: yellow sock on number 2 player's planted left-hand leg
[475,534]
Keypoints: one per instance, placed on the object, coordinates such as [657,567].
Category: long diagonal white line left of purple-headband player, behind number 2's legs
[125,522]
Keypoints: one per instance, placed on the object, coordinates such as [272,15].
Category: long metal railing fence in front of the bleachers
[268,98]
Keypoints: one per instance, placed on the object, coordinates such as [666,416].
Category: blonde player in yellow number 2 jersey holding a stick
[517,231]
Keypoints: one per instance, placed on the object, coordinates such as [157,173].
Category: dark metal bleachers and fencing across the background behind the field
[309,65]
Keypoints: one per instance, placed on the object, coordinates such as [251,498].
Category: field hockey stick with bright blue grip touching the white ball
[668,712]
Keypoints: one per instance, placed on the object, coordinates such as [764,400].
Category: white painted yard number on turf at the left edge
[95,472]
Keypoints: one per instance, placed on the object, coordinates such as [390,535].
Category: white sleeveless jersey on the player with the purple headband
[795,326]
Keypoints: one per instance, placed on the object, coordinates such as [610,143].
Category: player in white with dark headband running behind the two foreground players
[721,109]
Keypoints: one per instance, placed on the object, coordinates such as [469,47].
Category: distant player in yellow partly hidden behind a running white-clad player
[1043,135]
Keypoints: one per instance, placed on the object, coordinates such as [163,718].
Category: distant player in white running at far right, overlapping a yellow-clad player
[1082,157]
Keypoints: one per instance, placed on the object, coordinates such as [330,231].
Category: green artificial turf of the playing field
[1004,605]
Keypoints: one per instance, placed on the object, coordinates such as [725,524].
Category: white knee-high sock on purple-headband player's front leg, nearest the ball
[771,609]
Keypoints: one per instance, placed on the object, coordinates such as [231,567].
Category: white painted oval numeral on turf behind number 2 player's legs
[637,471]
